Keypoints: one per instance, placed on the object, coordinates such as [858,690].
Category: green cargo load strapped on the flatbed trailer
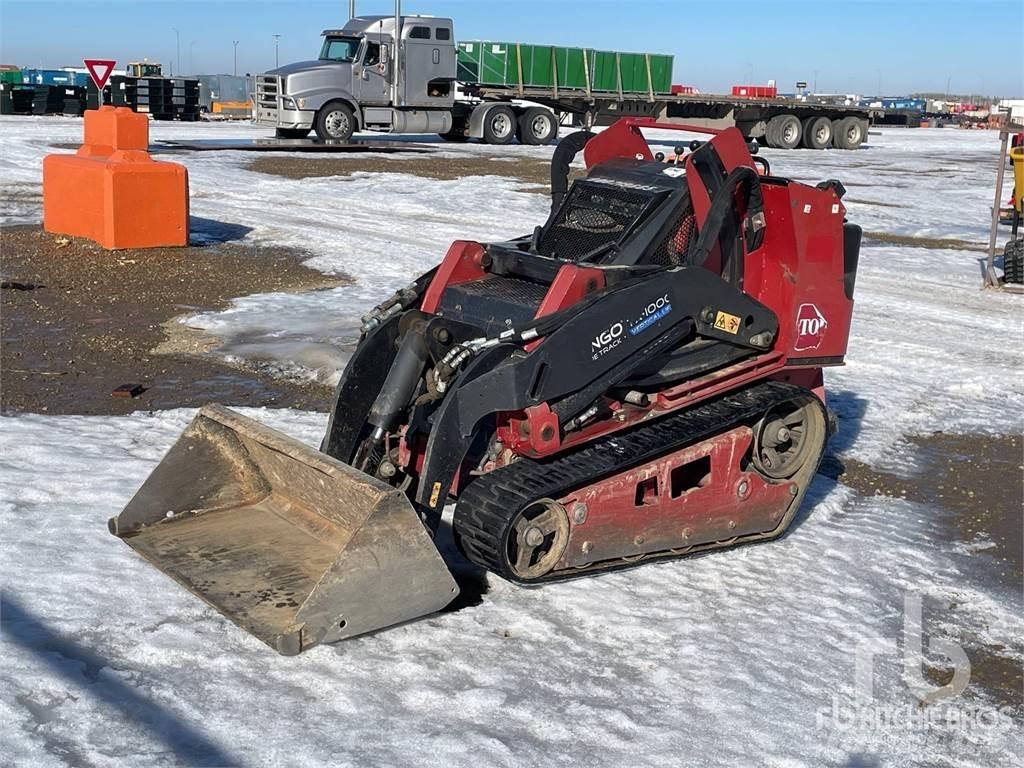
[550,68]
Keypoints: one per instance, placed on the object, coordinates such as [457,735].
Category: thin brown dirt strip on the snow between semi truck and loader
[530,170]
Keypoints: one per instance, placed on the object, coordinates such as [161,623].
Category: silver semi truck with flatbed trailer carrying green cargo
[406,74]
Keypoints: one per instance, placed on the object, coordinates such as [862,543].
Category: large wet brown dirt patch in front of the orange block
[78,322]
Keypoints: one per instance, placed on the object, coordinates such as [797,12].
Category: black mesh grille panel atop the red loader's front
[593,216]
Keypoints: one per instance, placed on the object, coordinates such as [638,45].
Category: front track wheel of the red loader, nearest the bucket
[536,540]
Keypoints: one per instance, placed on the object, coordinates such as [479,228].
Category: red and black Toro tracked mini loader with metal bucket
[639,378]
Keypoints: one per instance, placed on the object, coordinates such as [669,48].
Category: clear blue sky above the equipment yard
[850,47]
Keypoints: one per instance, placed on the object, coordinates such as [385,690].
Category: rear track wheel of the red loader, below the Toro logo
[787,438]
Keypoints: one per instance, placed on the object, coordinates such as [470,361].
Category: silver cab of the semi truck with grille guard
[376,73]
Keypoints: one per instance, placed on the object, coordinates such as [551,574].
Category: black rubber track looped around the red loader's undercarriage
[489,505]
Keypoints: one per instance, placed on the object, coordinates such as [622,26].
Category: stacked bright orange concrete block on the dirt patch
[112,192]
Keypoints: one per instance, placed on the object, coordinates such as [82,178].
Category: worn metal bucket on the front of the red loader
[290,544]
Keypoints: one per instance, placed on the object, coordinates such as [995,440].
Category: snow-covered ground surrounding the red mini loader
[743,658]
